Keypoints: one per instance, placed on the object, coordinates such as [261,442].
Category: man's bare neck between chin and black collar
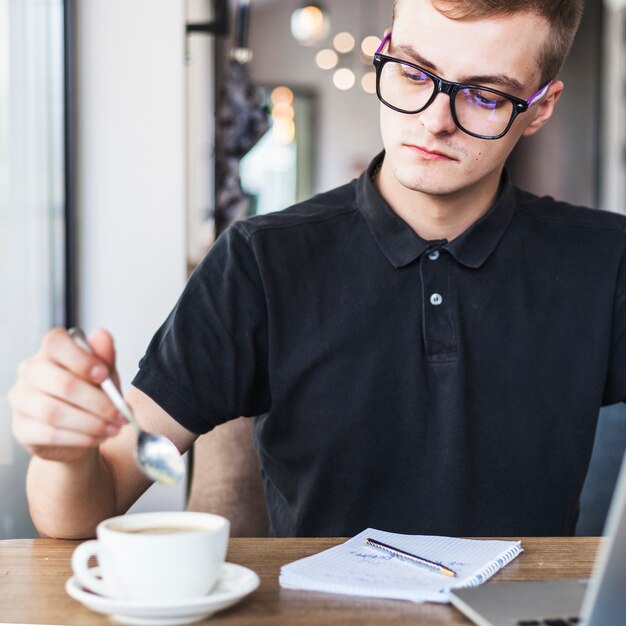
[436,217]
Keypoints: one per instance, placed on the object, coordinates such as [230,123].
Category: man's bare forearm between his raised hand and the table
[68,500]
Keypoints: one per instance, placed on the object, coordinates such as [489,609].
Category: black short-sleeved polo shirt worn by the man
[415,386]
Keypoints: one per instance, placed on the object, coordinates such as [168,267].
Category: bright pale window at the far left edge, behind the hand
[32,207]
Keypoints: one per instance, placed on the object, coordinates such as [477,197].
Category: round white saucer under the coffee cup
[235,582]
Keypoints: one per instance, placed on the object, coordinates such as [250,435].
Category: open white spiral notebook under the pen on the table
[354,568]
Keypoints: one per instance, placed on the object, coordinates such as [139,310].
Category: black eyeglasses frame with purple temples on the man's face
[451,88]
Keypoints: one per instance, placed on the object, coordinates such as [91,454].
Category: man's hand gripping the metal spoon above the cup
[59,411]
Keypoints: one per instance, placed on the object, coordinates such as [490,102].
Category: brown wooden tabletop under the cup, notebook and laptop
[33,574]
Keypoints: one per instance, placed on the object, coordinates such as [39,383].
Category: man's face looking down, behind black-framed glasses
[425,151]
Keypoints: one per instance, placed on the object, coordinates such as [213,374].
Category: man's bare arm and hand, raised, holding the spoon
[83,469]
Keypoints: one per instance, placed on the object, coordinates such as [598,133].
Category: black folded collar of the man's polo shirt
[402,245]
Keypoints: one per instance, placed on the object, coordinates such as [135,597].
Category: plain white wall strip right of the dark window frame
[131,174]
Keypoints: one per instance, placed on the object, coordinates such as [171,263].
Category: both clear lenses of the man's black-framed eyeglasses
[477,111]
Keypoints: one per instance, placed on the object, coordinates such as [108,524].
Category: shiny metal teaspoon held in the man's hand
[156,455]
